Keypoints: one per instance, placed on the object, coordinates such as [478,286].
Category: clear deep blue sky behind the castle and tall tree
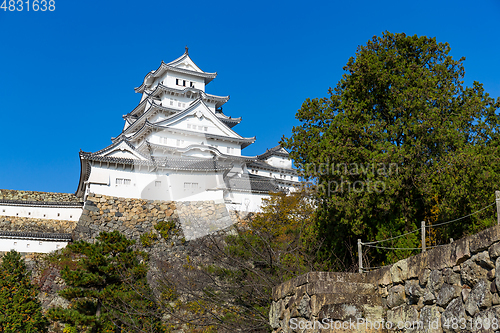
[67,76]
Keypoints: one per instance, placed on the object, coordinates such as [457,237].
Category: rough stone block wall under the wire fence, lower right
[445,289]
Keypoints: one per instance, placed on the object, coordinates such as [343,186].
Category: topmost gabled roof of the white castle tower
[184,64]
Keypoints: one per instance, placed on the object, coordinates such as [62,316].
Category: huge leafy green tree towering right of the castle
[399,140]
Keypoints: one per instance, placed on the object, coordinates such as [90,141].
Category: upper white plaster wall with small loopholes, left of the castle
[49,213]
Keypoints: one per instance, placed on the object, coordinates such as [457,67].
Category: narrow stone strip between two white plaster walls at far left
[26,224]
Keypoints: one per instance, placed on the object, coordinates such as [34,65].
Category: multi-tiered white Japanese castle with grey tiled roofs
[178,145]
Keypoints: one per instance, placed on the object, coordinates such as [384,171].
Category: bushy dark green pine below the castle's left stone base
[103,281]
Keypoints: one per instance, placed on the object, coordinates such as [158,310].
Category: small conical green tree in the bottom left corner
[20,309]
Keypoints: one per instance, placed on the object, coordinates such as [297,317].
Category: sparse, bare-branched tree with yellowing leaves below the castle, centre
[225,284]
